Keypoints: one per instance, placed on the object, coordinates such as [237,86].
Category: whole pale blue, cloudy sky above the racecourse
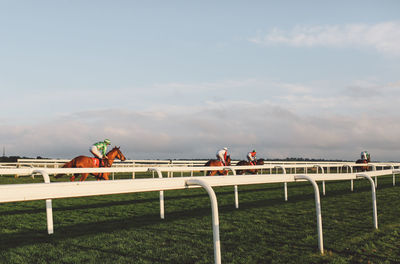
[182,79]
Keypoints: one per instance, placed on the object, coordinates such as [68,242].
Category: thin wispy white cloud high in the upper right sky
[384,37]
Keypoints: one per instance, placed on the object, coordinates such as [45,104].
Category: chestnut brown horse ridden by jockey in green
[89,162]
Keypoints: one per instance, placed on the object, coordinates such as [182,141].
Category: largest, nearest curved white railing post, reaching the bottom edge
[215,216]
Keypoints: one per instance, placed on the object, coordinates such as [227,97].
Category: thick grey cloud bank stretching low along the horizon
[275,131]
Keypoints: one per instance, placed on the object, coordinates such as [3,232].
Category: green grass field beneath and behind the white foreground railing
[265,229]
